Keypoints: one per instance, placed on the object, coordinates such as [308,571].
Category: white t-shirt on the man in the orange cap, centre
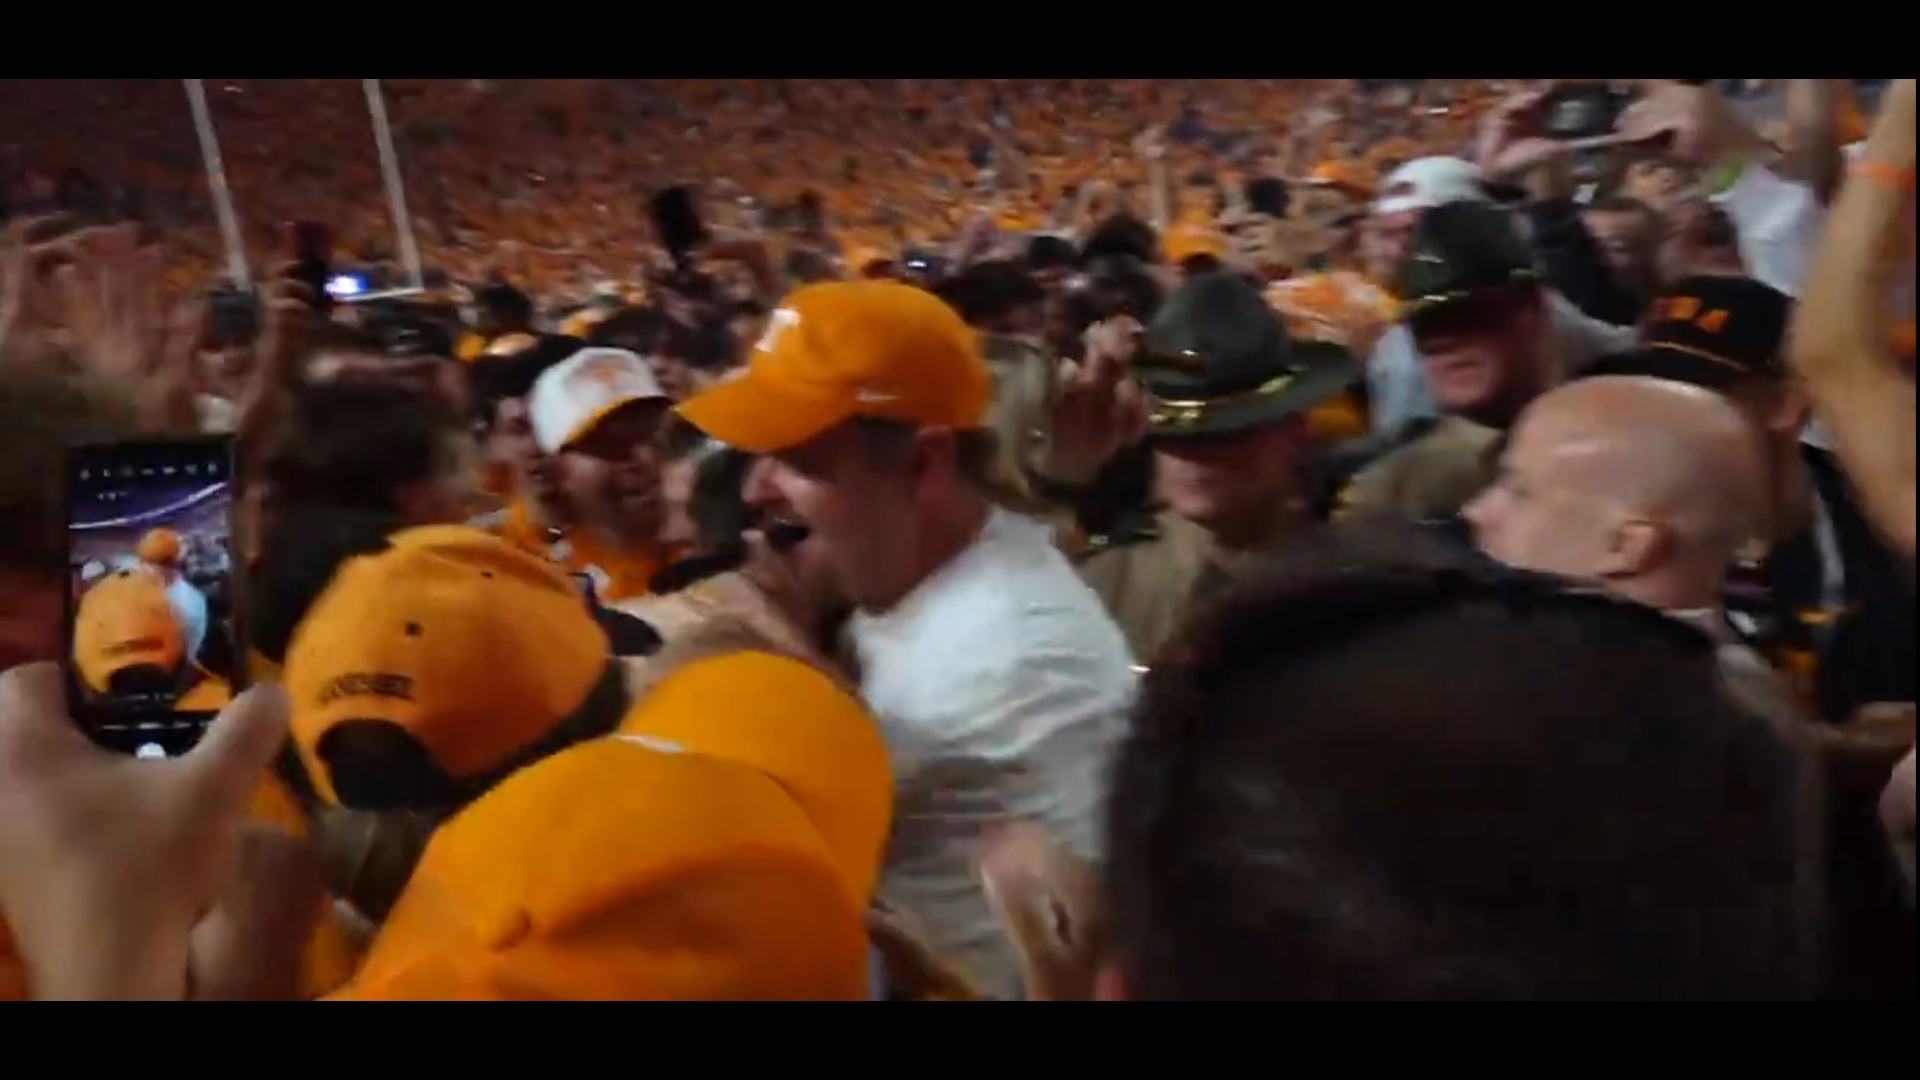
[1001,687]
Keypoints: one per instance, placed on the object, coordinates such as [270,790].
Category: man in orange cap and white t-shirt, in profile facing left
[997,677]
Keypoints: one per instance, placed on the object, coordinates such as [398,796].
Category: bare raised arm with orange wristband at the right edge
[1844,333]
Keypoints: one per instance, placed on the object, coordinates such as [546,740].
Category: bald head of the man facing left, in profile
[1648,489]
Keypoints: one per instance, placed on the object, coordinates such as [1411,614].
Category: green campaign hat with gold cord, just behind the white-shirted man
[1218,362]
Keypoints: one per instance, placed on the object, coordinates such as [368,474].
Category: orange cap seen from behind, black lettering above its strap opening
[468,645]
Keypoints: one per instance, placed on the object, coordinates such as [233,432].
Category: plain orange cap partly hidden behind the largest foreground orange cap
[794,725]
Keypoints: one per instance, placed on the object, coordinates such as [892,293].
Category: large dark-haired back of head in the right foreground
[1381,770]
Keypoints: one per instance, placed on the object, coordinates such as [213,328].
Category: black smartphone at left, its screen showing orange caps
[153,643]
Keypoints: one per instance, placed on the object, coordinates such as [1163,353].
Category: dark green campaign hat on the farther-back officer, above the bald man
[1460,251]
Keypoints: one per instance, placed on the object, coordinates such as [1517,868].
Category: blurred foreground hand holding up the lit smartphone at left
[108,862]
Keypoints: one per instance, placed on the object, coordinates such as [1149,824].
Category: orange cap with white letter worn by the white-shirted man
[844,351]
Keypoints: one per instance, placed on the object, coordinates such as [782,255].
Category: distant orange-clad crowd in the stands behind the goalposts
[548,178]
